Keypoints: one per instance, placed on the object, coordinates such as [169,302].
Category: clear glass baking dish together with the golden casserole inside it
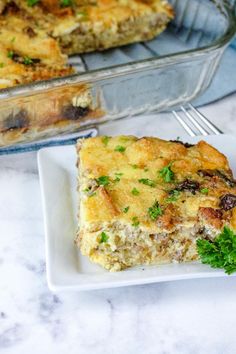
[148,76]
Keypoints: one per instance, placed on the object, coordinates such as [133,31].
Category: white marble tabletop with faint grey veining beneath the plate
[181,317]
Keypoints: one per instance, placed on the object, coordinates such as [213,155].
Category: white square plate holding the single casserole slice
[67,269]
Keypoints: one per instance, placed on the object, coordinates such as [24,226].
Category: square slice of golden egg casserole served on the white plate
[147,201]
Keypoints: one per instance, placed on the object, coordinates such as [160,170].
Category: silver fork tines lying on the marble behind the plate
[194,122]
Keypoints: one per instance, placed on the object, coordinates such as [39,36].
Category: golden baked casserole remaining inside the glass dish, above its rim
[37,36]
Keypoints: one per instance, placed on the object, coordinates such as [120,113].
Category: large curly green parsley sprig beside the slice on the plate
[220,253]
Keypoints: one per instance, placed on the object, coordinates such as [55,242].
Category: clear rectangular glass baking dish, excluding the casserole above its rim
[168,71]
